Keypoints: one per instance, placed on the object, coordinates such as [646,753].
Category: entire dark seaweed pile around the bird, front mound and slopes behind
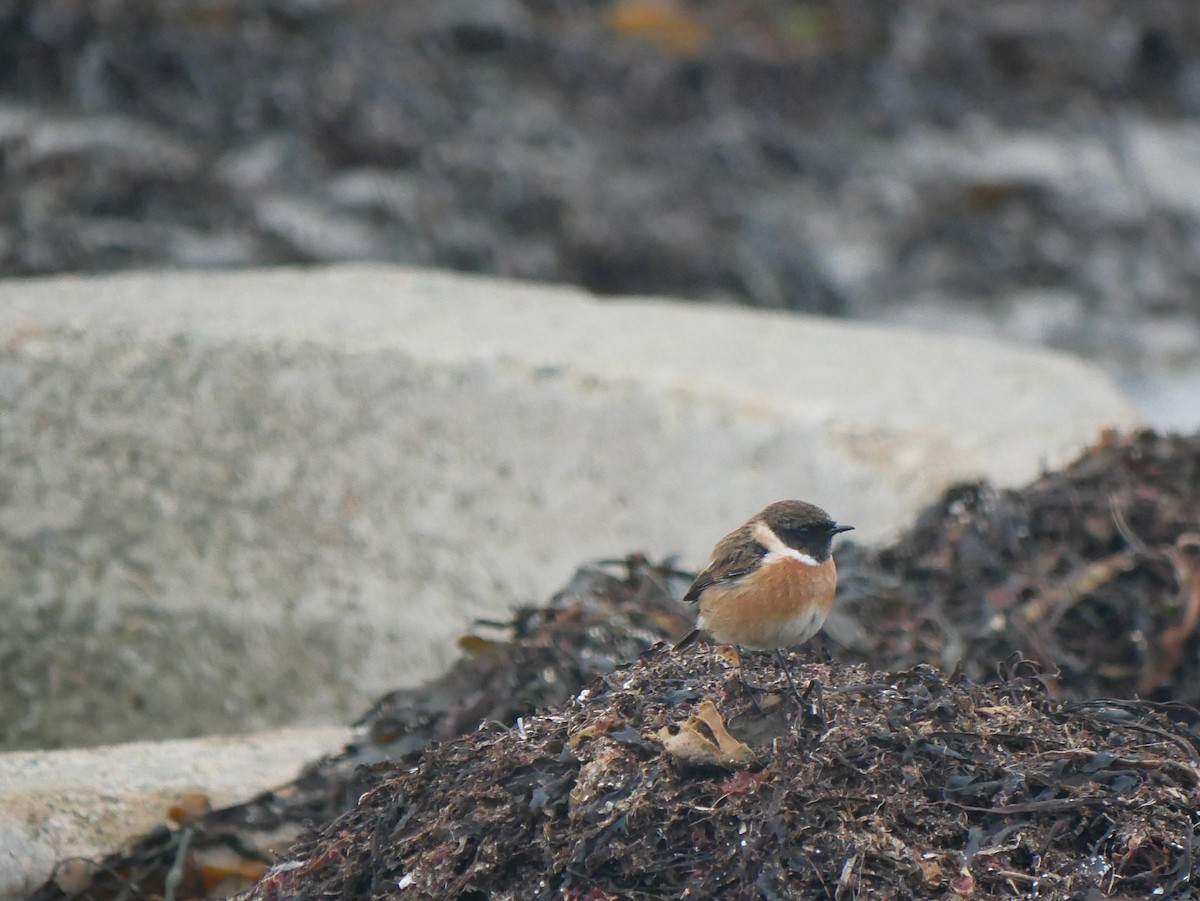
[1089,574]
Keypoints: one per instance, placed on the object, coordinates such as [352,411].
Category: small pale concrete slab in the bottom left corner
[85,803]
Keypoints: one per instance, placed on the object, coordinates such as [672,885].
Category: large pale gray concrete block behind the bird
[233,501]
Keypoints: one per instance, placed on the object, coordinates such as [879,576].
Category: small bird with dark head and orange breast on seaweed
[770,584]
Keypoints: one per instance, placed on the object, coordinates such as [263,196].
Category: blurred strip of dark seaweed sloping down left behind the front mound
[611,612]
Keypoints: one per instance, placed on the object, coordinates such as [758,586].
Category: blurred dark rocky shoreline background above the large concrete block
[1028,169]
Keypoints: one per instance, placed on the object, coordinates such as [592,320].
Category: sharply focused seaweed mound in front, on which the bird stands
[665,779]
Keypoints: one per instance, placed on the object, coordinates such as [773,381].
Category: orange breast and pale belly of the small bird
[782,603]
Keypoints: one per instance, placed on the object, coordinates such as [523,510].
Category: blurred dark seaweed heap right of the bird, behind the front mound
[1093,572]
